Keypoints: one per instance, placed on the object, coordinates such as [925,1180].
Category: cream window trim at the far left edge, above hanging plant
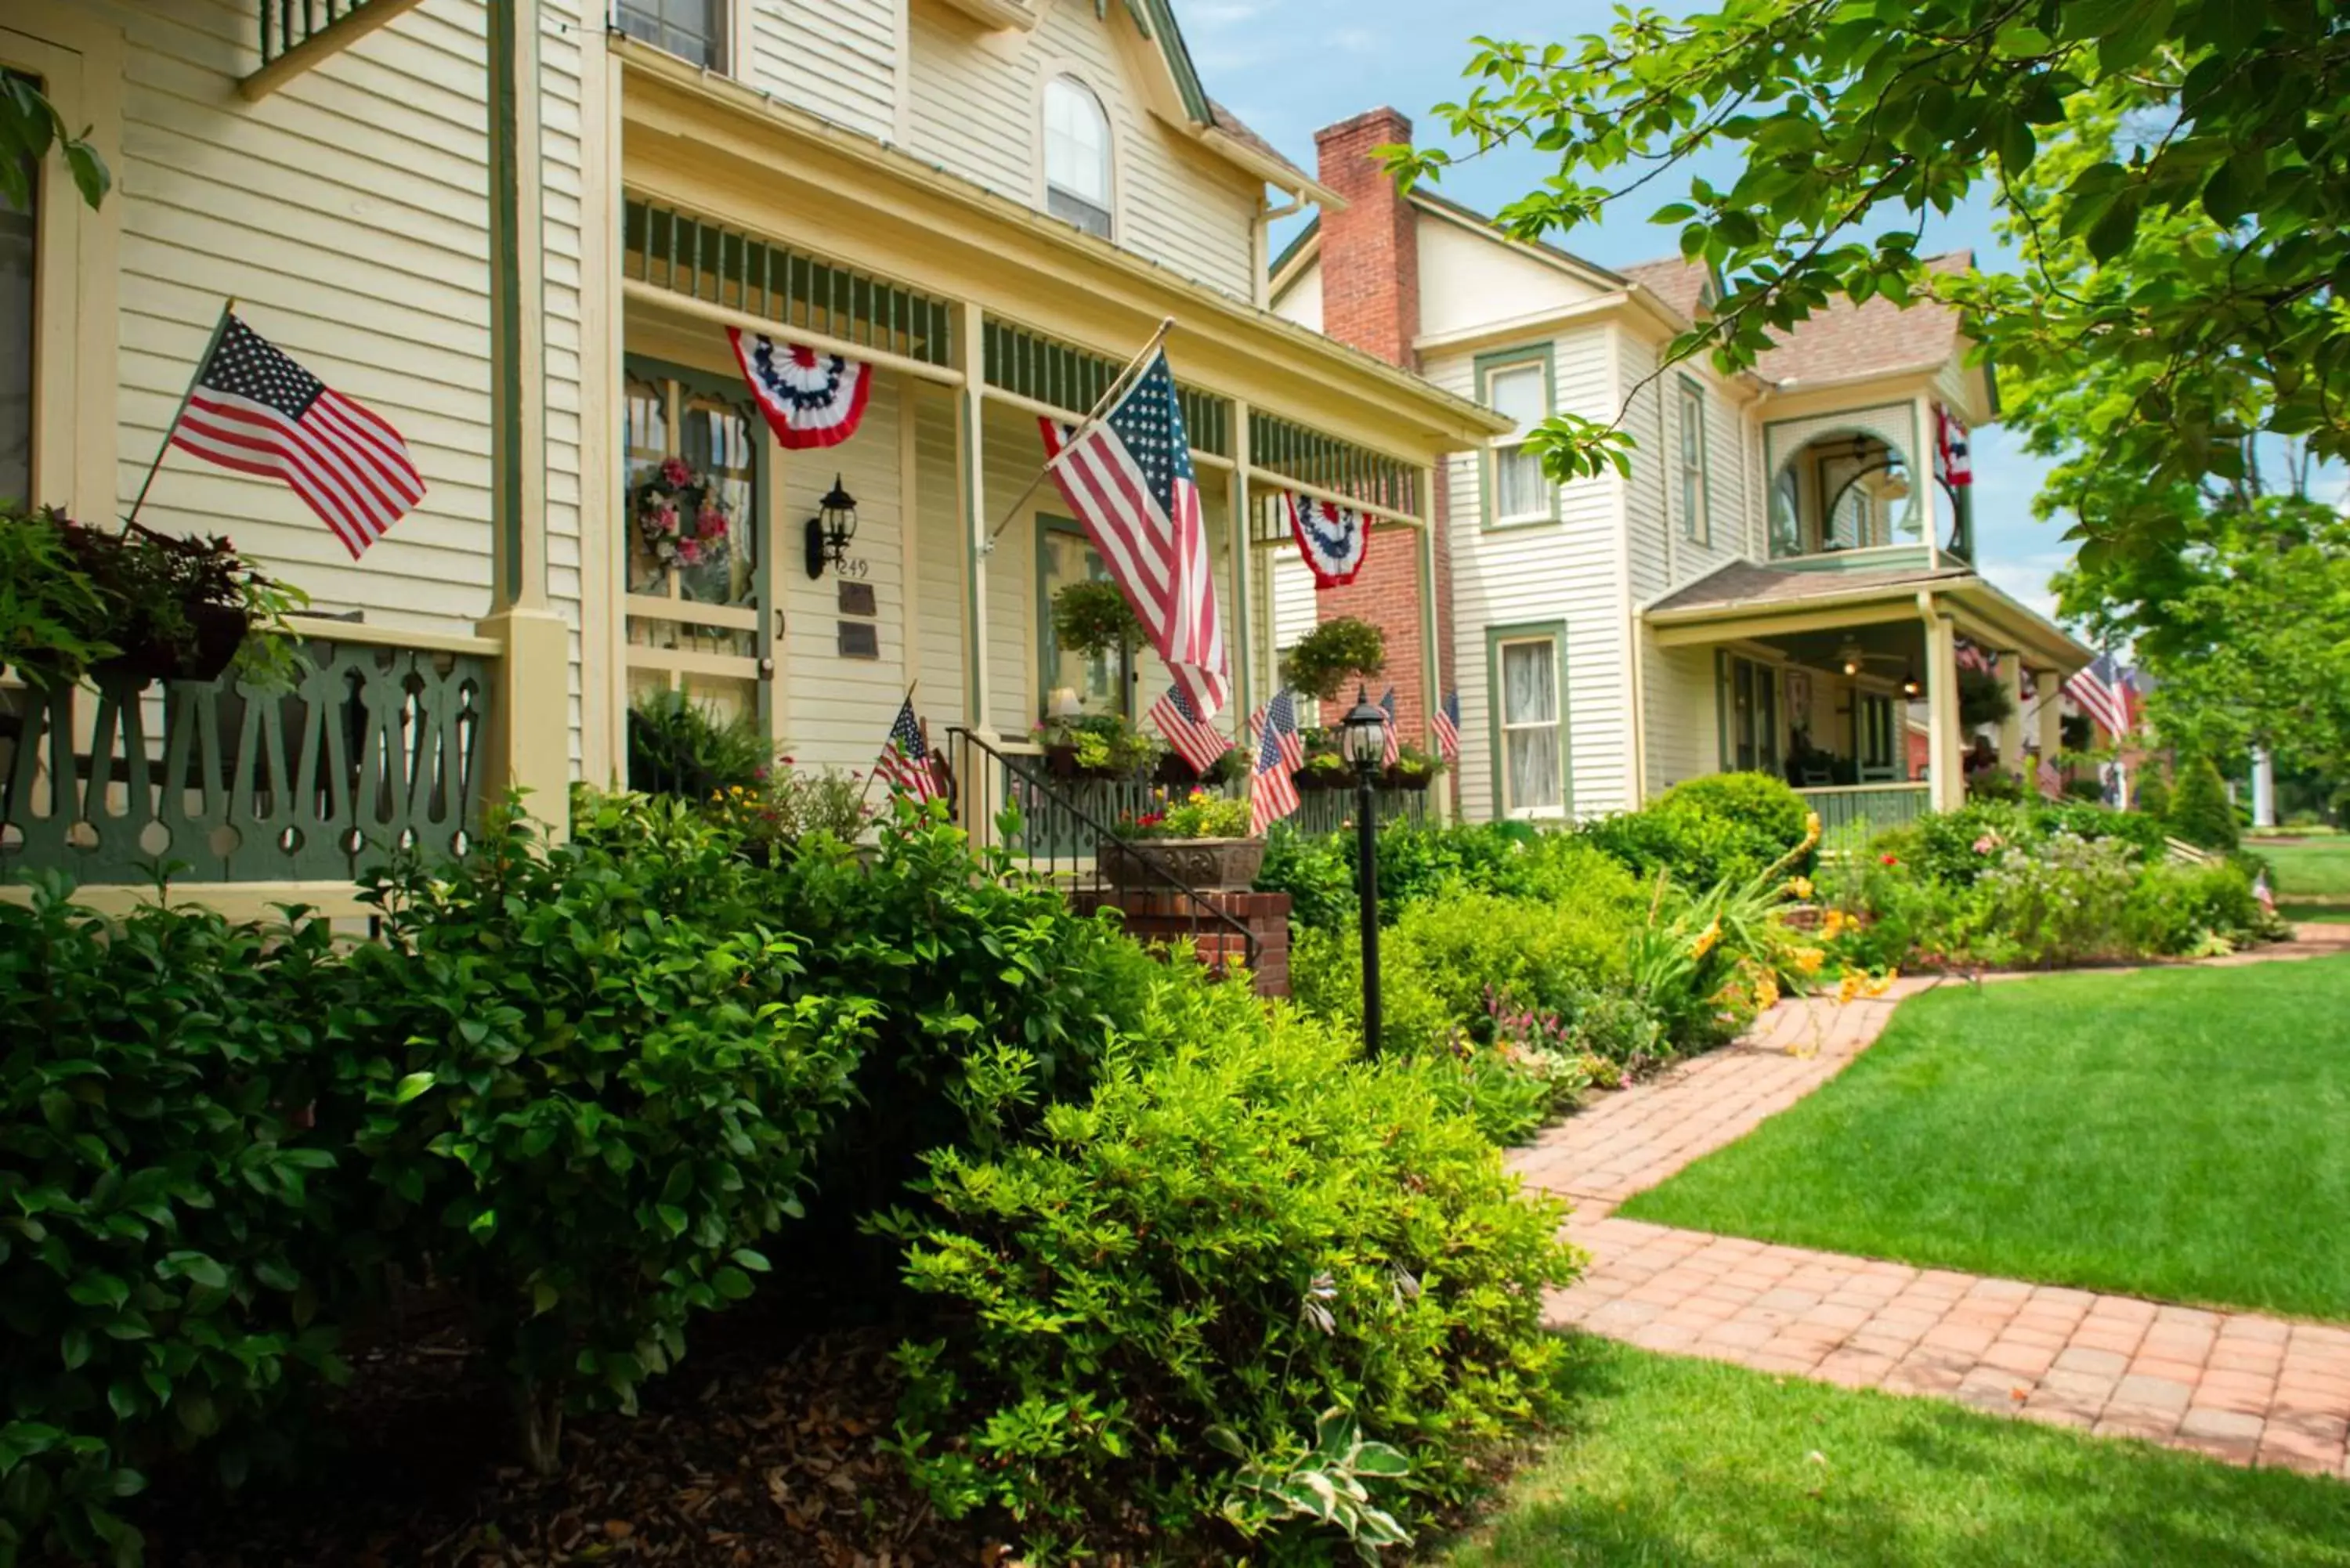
[76,427]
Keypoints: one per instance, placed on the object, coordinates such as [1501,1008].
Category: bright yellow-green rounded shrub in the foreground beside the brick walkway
[1237,1235]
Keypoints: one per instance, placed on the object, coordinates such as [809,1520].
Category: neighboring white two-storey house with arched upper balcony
[1785,570]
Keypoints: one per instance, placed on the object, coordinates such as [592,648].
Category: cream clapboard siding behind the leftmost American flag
[349,215]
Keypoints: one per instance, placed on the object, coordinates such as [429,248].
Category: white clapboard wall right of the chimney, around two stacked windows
[1545,572]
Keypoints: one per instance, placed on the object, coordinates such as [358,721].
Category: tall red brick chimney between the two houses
[1371,302]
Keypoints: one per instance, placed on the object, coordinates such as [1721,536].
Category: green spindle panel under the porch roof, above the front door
[725,267]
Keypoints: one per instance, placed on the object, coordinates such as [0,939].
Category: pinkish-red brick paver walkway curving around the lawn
[2236,1386]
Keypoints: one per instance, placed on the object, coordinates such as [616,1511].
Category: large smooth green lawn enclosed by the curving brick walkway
[2180,1134]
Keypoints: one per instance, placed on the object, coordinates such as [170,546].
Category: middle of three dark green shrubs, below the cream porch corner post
[591,1094]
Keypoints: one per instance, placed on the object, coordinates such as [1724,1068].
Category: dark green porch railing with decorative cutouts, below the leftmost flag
[375,751]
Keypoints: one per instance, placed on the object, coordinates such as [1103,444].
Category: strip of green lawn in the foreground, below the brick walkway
[1696,1466]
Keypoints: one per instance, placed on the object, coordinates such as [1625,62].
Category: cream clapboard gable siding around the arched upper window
[976,107]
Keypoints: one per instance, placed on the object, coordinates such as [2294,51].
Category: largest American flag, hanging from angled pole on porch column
[1132,483]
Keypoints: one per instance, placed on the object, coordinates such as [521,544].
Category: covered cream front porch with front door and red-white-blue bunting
[979,321]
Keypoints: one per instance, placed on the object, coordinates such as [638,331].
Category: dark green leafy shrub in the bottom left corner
[168,1217]
